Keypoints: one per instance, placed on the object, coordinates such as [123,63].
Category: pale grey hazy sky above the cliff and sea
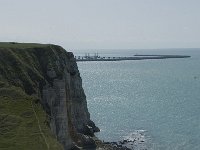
[82,24]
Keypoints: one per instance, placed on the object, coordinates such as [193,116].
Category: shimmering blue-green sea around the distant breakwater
[157,100]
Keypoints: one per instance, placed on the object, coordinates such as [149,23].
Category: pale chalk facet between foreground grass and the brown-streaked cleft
[55,98]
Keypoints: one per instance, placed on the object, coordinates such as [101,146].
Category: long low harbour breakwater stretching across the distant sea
[135,57]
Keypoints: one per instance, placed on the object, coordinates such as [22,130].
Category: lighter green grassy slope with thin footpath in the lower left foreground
[19,129]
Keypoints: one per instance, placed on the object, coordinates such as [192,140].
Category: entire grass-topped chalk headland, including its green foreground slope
[47,80]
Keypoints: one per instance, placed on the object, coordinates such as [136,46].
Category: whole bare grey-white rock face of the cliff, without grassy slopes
[65,102]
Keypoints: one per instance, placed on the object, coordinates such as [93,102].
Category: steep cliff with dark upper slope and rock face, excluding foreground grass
[49,75]
